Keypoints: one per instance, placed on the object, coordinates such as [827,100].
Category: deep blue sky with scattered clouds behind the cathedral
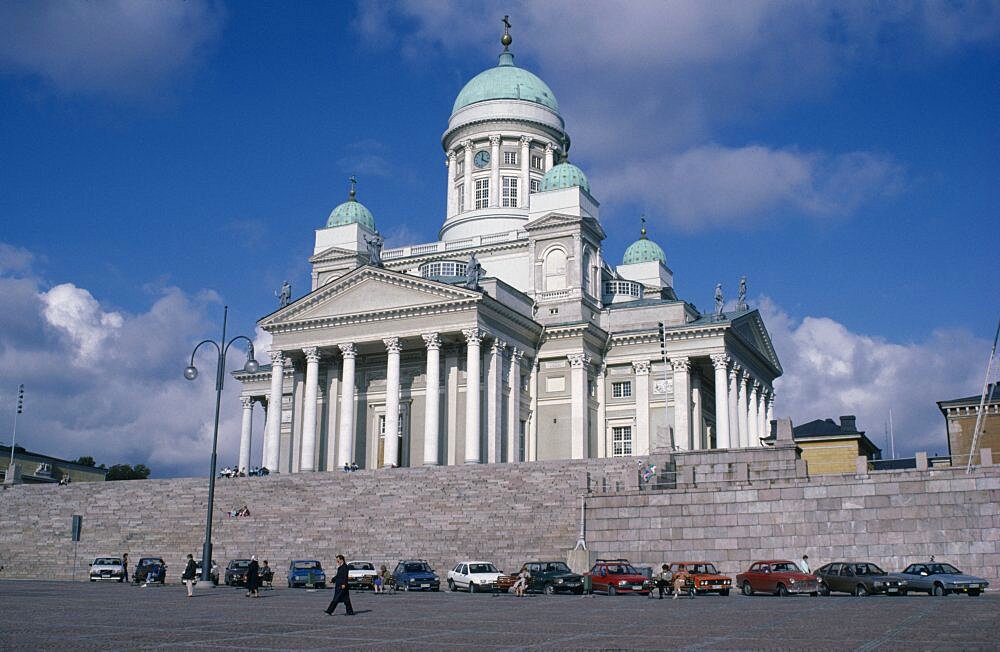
[161,159]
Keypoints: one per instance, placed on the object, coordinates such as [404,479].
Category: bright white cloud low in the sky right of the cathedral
[831,371]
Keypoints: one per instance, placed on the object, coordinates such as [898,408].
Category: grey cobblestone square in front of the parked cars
[85,616]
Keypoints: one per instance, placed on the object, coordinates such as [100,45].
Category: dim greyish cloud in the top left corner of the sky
[115,48]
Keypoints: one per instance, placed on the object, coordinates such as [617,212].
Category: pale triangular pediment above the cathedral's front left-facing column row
[369,290]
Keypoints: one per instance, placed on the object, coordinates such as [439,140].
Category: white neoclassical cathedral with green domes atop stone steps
[543,349]
